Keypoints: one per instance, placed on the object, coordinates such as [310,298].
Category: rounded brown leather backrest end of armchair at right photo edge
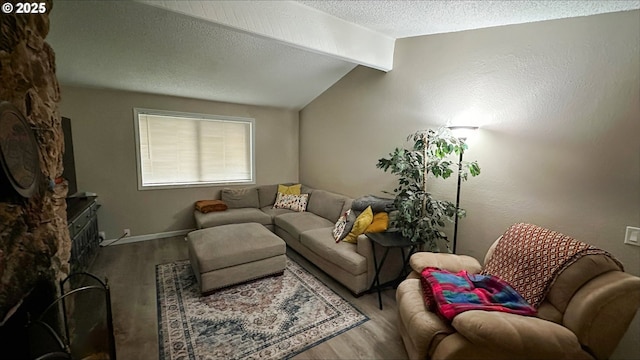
[600,312]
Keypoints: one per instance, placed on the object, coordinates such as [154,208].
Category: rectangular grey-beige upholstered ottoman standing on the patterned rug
[230,254]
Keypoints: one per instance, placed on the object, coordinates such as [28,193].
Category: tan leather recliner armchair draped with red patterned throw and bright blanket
[583,313]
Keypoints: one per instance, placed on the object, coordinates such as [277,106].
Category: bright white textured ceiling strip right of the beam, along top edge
[401,19]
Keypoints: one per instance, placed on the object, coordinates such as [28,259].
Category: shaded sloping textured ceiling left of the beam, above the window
[132,46]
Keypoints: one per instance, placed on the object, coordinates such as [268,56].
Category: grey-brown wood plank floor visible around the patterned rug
[130,269]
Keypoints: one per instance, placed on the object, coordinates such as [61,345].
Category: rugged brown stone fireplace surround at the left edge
[34,240]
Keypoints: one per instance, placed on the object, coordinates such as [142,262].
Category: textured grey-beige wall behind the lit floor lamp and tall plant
[558,103]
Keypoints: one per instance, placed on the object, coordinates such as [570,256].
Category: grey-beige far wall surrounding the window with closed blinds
[104,147]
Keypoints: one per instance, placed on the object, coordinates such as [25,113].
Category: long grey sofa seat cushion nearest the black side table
[342,254]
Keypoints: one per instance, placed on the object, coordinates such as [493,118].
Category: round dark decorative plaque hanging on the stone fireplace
[19,155]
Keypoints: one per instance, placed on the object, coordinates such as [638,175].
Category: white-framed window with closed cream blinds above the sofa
[183,149]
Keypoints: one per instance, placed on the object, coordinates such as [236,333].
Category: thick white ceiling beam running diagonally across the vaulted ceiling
[294,24]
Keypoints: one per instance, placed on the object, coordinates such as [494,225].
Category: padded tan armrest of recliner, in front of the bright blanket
[520,336]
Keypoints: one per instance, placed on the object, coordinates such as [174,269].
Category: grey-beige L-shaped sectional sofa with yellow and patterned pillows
[309,233]
